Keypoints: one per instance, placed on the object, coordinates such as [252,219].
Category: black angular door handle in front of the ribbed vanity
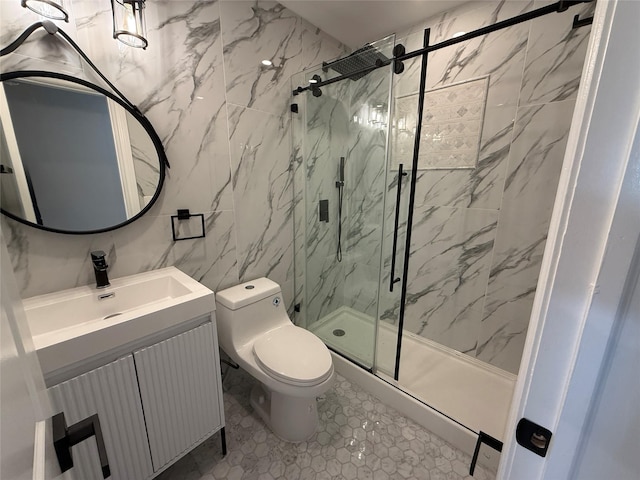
[66,437]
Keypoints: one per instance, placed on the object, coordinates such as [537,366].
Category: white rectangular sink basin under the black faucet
[73,325]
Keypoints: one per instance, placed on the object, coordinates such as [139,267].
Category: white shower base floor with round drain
[471,392]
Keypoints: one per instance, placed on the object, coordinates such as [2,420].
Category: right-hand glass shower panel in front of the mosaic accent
[488,159]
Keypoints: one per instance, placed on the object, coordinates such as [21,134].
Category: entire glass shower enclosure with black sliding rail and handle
[423,200]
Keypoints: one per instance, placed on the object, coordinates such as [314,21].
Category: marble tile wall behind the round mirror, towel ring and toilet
[223,119]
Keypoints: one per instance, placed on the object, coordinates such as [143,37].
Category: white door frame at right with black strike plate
[586,286]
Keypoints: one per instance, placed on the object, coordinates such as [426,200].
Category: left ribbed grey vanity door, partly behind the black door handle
[111,392]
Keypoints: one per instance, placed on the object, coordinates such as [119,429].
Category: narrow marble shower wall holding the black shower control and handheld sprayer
[321,130]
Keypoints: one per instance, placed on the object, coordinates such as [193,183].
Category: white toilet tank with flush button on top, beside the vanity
[247,311]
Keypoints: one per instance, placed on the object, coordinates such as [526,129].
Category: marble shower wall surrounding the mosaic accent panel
[479,234]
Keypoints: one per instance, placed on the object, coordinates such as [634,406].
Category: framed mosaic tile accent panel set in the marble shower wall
[451,125]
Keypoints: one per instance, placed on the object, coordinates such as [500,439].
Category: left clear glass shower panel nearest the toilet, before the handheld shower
[340,144]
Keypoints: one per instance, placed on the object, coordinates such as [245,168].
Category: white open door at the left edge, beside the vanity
[26,445]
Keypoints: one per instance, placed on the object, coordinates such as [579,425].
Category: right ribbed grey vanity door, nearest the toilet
[178,384]
